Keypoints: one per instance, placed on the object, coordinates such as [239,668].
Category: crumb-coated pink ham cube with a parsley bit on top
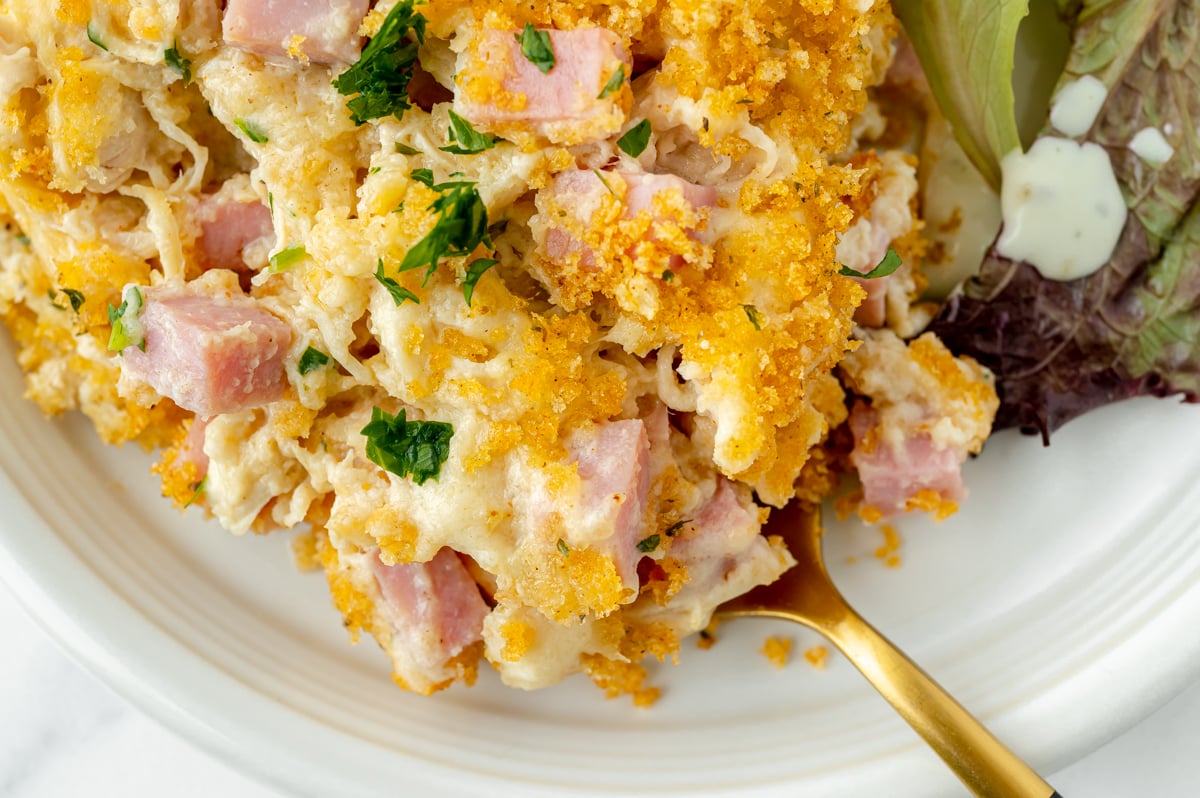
[501,91]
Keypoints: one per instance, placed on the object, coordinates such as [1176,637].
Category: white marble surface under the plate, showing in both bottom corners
[65,734]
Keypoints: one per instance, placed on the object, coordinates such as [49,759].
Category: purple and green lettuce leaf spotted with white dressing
[1133,328]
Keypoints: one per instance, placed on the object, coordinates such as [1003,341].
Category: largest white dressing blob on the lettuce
[1063,208]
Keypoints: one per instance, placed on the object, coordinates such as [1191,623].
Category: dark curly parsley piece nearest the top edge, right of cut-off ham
[381,77]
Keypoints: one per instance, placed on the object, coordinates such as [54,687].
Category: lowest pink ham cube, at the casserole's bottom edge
[436,611]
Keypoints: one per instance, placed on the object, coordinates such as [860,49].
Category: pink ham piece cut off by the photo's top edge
[325,32]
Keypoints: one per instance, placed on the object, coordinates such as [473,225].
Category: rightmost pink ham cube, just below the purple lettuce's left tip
[891,476]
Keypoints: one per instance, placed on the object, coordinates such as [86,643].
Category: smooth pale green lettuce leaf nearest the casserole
[968,49]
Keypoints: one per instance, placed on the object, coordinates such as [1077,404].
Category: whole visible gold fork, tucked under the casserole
[807,596]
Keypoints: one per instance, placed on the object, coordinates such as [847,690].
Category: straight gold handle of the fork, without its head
[985,765]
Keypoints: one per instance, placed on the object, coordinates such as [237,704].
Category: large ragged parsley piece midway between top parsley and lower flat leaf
[461,226]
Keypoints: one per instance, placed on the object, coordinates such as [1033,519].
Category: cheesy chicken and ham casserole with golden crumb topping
[524,316]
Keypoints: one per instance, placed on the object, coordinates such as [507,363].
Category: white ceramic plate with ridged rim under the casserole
[1060,607]
